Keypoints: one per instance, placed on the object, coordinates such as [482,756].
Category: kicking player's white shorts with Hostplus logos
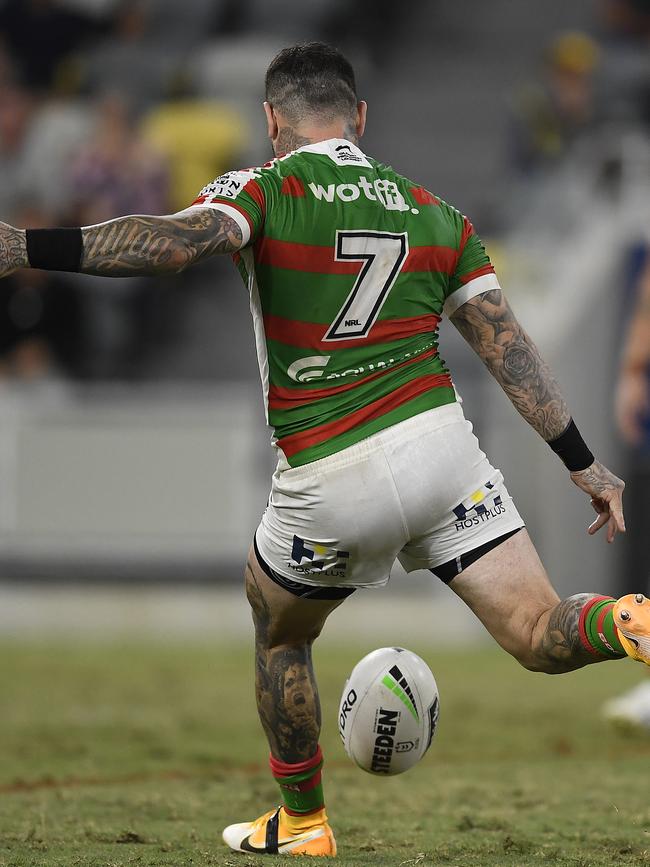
[421,491]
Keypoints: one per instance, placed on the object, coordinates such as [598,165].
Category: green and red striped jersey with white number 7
[349,267]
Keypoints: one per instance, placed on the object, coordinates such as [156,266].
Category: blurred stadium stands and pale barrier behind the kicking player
[134,462]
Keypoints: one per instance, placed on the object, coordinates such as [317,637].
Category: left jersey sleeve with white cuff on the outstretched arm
[241,195]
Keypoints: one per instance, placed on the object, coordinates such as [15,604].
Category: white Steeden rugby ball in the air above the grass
[388,711]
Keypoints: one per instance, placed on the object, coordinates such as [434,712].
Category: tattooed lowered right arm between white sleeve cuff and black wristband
[491,328]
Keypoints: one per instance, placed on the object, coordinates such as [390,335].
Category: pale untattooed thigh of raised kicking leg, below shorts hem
[508,590]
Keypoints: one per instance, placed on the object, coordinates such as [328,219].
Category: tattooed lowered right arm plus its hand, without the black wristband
[491,328]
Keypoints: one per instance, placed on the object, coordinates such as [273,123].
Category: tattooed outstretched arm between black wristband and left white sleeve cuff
[154,245]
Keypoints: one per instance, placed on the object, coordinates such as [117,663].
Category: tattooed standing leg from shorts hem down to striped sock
[286,690]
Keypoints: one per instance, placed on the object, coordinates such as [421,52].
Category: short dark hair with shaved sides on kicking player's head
[311,78]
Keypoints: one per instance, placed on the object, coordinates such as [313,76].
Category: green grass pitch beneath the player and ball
[125,754]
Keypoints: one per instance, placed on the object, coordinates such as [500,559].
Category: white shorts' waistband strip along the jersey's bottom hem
[410,428]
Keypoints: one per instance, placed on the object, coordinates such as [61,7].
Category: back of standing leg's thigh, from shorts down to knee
[281,617]
